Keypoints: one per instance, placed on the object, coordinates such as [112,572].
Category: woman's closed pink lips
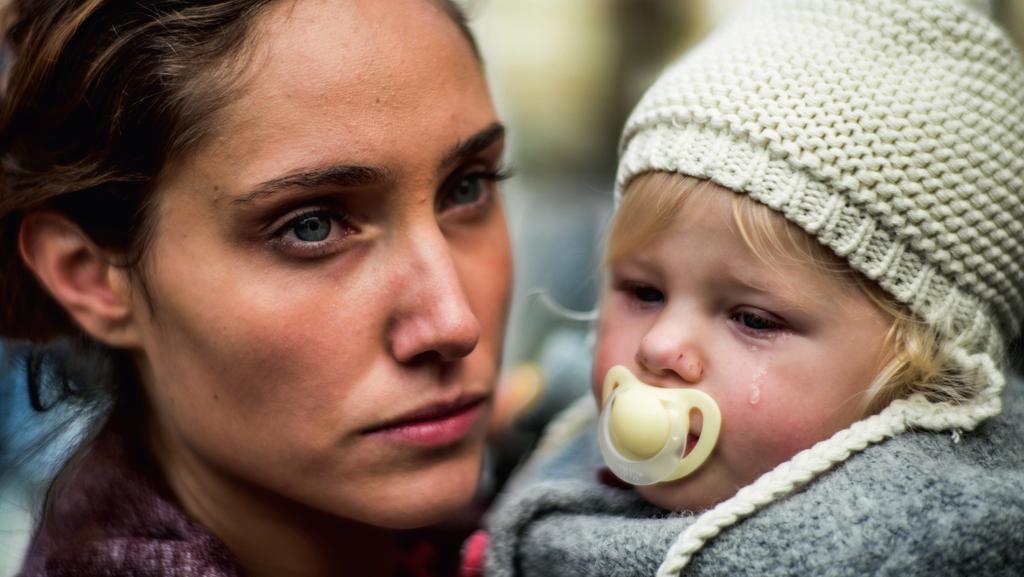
[435,427]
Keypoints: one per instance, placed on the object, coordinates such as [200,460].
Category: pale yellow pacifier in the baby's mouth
[644,430]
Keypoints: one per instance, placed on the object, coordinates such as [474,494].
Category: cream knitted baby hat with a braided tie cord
[892,132]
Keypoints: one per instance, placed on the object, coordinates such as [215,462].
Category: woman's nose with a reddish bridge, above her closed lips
[434,317]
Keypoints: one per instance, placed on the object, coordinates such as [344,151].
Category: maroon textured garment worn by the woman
[112,515]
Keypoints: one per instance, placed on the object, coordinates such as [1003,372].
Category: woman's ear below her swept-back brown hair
[80,277]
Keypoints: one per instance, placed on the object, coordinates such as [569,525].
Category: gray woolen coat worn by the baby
[920,505]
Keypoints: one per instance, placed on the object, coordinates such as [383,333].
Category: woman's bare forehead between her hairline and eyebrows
[331,85]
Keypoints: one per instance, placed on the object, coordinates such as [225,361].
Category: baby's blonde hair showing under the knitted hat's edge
[916,360]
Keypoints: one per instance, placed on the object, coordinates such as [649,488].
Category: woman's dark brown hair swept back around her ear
[99,97]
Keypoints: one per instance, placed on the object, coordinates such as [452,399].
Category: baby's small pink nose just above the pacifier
[670,348]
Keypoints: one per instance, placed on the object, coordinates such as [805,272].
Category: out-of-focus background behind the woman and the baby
[565,75]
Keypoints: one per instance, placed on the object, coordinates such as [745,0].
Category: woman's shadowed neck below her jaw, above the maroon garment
[273,537]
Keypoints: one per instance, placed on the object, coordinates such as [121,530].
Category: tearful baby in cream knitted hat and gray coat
[813,274]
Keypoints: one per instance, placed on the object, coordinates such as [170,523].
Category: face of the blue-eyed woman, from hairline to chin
[330,272]
